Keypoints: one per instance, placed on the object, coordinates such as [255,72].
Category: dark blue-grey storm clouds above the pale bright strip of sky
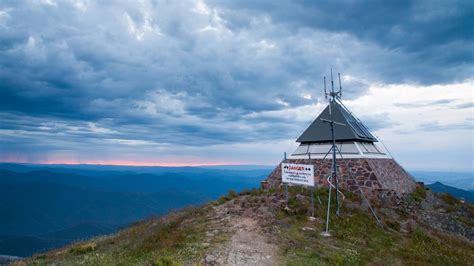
[194,74]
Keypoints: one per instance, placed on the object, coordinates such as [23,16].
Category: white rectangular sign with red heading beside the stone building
[300,174]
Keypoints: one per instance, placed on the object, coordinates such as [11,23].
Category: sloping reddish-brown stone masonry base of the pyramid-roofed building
[378,178]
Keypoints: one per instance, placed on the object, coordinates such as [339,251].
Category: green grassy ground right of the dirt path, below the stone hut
[357,238]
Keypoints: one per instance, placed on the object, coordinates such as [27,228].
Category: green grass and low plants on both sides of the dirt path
[356,236]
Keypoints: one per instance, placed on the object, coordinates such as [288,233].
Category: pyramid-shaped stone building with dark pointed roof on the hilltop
[363,166]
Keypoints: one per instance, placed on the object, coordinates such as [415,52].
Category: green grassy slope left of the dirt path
[171,240]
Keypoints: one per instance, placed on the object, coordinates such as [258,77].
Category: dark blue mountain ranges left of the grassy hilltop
[53,201]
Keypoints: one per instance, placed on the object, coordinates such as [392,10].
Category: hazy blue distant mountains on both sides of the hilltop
[47,206]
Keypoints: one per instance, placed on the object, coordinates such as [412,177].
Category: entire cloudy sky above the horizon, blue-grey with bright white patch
[231,82]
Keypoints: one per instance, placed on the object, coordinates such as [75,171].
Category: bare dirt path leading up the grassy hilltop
[246,246]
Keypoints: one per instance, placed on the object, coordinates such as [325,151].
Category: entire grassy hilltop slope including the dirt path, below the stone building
[254,228]
